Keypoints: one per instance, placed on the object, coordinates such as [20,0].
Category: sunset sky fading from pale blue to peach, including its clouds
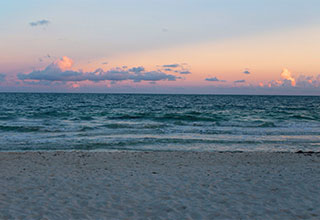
[160,46]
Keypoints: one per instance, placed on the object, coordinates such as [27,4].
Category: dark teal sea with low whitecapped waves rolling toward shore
[158,122]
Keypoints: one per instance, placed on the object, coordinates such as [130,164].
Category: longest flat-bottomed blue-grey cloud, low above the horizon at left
[136,74]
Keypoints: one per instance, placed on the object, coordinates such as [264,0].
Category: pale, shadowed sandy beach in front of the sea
[159,185]
